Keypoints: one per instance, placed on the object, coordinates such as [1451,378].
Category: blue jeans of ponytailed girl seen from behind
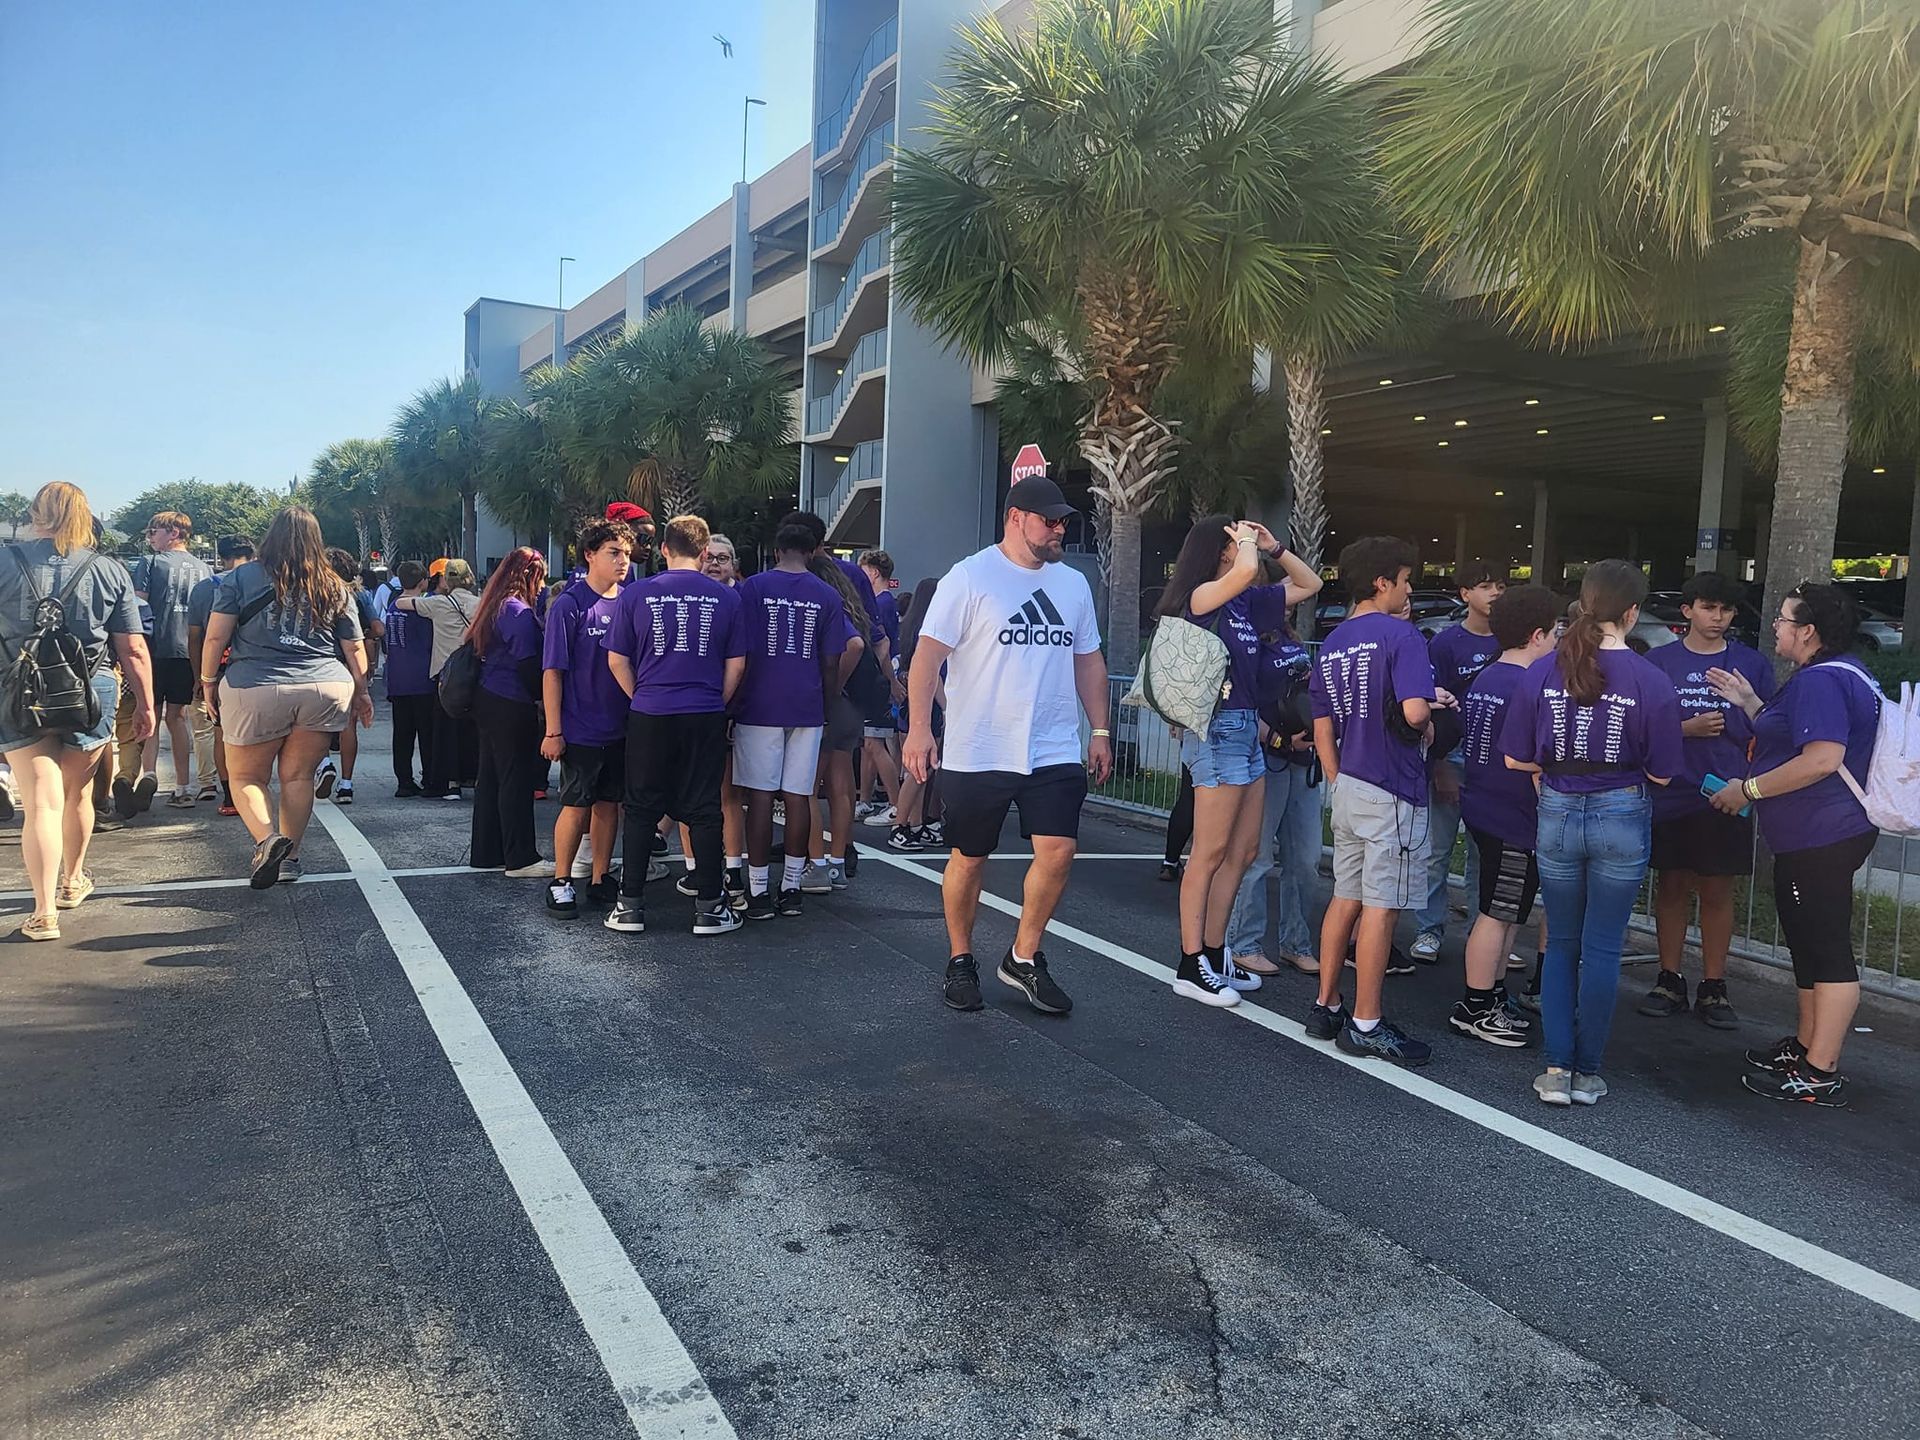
[1593,859]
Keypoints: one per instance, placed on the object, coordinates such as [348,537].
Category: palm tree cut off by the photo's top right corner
[1602,162]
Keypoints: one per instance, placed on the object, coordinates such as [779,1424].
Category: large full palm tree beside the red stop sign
[1138,178]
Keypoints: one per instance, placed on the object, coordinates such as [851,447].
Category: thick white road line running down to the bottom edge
[652,1372]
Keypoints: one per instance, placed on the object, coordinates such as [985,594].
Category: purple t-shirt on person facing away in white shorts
[790,619]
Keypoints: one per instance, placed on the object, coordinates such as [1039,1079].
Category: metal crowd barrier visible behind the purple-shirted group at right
[1147,779]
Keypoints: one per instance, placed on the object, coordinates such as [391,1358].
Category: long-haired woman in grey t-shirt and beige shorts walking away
[297,675]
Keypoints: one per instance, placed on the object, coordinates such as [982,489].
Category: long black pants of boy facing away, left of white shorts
[675,767]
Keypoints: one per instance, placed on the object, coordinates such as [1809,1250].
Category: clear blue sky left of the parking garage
[233,233]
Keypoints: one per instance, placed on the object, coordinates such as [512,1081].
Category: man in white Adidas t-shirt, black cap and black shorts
[1020,646]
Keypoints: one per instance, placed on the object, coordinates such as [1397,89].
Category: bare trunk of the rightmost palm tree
[1815,402]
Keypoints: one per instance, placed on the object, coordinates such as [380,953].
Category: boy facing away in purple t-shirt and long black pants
[679,652]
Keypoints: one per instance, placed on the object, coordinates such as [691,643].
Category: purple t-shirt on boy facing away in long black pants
[681,629]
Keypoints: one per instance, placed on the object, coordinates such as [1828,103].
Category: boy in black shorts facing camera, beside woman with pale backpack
[1698,850]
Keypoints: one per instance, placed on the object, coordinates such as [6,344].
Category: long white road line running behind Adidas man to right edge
[1848,1274]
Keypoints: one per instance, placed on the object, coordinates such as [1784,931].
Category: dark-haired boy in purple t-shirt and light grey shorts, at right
[1370,665]
